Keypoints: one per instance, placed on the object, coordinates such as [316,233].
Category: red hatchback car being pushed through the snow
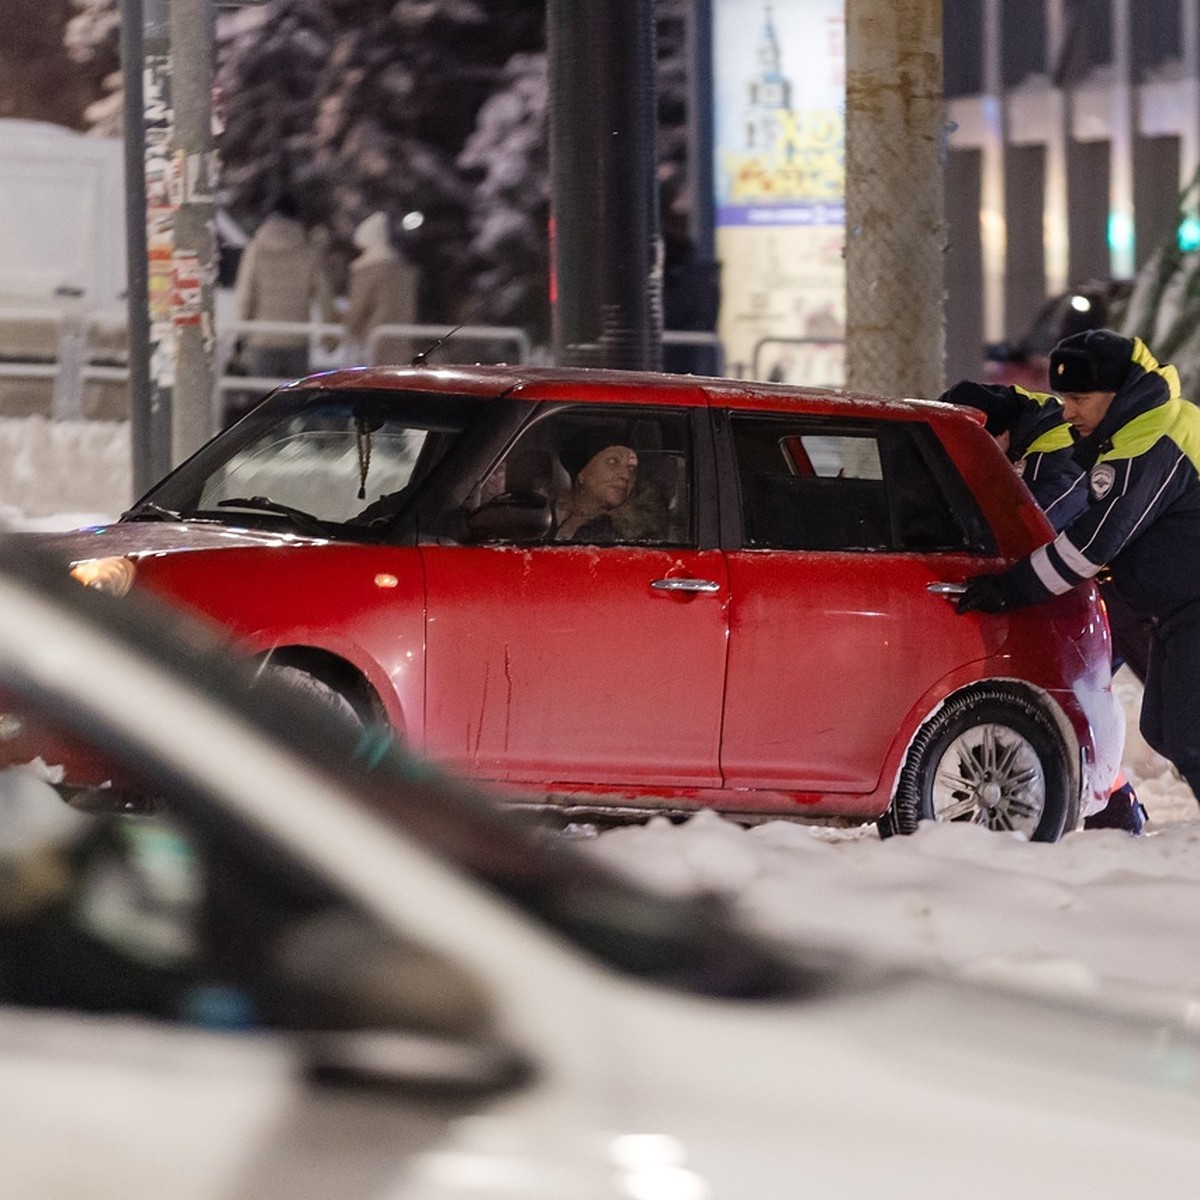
[757,617]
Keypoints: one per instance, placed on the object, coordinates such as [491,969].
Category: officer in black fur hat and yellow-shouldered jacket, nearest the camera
[1139,443]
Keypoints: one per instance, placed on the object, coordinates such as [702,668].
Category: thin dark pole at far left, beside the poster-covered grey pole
[136,245]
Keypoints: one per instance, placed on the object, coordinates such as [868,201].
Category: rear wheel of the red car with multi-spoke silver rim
[992,757]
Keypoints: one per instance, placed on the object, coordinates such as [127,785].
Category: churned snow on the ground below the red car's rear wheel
[1100,915]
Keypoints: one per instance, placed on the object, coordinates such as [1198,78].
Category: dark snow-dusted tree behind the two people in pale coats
[363,106]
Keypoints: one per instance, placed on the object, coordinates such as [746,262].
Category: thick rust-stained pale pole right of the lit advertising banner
[896,223]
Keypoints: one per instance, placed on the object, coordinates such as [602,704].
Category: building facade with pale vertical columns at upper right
[1075,125]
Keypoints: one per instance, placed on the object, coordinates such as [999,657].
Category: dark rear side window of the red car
[815,484]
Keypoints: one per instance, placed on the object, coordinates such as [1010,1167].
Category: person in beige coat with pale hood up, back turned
[382,292]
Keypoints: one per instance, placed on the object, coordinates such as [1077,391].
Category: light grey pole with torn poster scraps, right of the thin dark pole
[194,257]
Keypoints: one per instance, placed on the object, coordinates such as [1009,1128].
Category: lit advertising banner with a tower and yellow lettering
[779,164]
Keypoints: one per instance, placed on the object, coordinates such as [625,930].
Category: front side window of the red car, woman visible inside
[608,477]
